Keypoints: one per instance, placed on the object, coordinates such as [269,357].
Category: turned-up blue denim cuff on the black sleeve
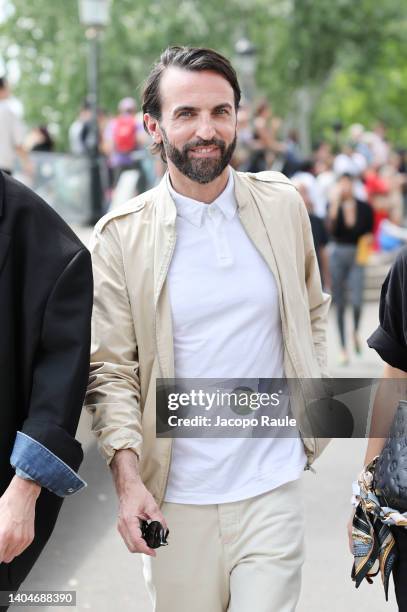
[38,463]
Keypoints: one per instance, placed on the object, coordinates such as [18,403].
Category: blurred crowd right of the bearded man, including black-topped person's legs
[355,191]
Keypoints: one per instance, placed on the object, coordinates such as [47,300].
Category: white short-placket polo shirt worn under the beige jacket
[226,324]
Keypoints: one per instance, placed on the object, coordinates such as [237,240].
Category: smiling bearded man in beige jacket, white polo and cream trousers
[212,274]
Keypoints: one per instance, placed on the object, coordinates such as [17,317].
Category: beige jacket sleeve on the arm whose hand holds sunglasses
[113,396]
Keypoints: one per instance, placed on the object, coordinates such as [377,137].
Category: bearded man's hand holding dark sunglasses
[135,502]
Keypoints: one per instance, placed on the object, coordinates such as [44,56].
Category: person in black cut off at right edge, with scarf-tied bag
[370,539]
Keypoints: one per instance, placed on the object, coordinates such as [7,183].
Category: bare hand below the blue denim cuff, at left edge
[17,513]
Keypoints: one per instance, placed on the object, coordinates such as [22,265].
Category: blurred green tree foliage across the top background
[349,55]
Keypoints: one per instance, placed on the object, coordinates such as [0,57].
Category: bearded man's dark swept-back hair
[190,58]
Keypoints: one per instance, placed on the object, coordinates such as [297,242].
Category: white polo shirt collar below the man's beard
[194,210]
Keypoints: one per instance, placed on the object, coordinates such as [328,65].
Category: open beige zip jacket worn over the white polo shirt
[132,331]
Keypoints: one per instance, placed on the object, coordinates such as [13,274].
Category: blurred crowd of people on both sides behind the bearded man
[354,184]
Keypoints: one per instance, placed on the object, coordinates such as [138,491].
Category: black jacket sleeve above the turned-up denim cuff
[62,363]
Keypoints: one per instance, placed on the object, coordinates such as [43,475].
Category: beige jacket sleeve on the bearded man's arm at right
[318,300]
